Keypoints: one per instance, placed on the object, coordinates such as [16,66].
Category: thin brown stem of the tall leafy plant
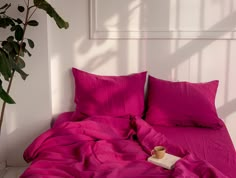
[18,56]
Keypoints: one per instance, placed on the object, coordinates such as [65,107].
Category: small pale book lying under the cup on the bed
[168,161]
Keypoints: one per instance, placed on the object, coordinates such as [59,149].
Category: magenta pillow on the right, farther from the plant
[182,103]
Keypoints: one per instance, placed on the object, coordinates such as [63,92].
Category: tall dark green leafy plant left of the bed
[14,48]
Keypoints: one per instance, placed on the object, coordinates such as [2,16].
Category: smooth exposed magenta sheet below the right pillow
[215,146]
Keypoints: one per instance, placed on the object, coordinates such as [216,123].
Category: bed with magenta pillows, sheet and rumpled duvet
[111,132]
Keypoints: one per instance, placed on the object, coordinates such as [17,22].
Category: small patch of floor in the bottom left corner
[12,172]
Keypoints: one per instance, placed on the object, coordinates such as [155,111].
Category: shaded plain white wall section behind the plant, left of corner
[32,113]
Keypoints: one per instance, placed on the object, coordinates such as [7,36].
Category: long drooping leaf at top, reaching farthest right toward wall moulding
[42,4]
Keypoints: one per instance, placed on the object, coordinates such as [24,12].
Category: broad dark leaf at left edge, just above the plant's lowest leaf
[5,66]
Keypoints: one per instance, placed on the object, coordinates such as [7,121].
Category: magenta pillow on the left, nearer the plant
[109,95]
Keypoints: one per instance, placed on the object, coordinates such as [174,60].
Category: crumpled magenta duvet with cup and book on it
[102,146]
